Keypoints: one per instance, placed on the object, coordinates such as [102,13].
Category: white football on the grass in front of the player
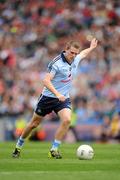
[85,152]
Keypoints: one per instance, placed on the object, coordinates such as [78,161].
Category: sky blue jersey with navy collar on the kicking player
[63,73]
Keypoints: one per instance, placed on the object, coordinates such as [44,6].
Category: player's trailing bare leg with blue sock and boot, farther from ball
[36,119]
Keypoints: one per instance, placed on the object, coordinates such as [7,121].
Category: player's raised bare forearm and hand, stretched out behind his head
[93,45]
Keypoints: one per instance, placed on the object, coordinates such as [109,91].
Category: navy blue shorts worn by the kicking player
[46,105]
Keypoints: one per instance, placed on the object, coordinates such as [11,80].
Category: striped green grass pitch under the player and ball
[35,165]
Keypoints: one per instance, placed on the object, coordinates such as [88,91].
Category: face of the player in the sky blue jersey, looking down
[72,53]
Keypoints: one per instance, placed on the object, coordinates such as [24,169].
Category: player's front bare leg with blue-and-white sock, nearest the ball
[65,116]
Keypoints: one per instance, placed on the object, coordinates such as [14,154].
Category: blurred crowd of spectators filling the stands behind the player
[34,32]
